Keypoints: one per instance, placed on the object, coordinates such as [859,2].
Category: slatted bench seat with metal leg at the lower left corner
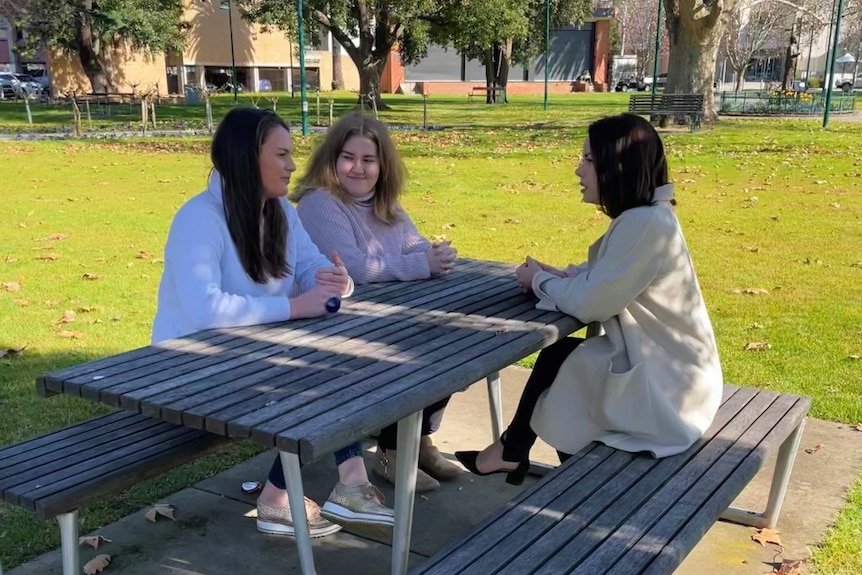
[54,474]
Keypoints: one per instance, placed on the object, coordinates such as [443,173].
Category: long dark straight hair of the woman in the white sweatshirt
[235,154]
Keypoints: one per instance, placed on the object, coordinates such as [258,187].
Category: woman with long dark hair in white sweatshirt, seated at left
[237,255]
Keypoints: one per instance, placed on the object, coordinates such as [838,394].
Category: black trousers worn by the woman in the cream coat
[520,437]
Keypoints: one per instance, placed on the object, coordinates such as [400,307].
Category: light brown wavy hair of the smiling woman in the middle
[321,173]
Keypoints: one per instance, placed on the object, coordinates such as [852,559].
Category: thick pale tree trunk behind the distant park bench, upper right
[694,34]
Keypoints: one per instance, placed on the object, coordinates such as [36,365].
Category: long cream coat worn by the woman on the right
[652,381]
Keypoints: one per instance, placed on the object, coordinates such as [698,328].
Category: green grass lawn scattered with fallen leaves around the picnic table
[772,205]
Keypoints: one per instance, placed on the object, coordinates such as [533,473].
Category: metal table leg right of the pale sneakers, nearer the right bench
[405,489]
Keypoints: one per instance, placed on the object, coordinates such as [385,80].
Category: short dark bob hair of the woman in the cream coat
[629,160]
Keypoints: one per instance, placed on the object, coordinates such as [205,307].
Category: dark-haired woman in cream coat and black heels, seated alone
[652,380]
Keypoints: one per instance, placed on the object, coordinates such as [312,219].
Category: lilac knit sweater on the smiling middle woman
[371,250]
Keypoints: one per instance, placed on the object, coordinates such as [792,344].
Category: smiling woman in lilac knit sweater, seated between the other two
[348,201]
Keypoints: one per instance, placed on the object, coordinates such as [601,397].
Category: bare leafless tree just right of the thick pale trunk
[747,29]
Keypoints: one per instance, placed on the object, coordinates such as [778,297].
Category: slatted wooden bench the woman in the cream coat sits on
[607,511]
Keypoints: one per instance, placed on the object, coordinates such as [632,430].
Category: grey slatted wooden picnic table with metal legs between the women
[311,387]
